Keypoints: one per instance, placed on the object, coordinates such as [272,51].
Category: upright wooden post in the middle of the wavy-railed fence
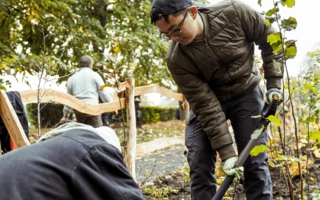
[131,123]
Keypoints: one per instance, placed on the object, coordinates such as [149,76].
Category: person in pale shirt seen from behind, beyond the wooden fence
[85,85]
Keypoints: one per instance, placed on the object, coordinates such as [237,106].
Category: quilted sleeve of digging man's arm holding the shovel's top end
[257,30]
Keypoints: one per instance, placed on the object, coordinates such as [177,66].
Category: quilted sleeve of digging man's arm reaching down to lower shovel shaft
[203,103]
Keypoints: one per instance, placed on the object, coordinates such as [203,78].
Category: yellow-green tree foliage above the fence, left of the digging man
[52,35]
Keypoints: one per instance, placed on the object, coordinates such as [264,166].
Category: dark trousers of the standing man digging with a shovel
[201,157]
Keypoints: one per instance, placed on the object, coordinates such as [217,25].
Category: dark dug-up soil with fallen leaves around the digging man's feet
[176,180]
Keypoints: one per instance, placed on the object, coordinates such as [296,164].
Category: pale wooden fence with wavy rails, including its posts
[130,152]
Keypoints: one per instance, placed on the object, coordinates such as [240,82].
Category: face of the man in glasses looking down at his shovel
[180,28]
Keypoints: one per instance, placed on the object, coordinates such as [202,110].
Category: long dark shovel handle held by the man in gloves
[269,110]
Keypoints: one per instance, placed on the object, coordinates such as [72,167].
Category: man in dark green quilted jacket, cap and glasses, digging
[211,59]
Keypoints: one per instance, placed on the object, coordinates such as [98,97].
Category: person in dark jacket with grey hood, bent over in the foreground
[73,161]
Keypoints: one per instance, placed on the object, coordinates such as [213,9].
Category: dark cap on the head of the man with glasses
[163,8]
